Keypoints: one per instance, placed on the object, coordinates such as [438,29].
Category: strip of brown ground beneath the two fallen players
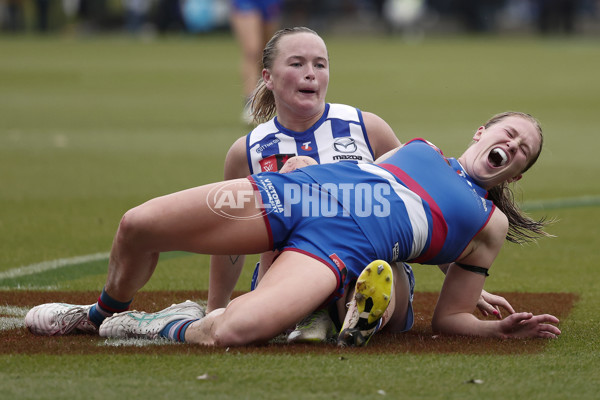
[419,340]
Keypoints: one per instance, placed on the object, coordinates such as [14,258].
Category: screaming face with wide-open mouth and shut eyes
[502,151]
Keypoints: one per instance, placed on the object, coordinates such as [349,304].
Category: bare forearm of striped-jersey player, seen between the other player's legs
[224,274]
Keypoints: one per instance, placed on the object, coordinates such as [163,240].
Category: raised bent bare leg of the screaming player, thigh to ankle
[180,221]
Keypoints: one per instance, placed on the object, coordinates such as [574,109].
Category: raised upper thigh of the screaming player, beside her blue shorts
[198,220]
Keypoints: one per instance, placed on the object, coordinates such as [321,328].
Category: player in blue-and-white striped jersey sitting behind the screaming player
[289,103]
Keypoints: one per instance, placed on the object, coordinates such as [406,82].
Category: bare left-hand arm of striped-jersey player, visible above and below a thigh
[225,270]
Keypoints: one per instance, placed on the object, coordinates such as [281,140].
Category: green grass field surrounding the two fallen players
[92,127]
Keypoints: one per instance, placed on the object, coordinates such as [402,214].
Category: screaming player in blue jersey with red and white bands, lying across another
[326,219]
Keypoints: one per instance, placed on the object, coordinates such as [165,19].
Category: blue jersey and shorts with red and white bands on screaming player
[417,206]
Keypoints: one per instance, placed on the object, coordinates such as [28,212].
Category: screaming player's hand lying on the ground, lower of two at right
[527,325]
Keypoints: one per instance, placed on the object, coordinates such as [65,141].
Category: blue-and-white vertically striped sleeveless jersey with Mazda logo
[339,135]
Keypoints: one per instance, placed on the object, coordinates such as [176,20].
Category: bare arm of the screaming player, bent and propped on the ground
[461,290]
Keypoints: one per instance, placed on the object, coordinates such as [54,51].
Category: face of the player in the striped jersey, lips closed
[299,75]
